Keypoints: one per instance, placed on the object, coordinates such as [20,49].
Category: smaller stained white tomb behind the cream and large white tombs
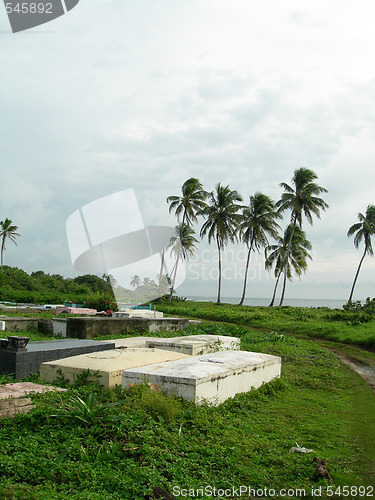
[195,345]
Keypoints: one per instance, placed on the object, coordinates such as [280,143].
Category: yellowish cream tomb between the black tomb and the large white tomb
[108,364]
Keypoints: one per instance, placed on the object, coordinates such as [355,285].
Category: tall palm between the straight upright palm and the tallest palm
[258,222]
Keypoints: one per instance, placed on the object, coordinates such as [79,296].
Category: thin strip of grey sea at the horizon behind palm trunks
[331,303]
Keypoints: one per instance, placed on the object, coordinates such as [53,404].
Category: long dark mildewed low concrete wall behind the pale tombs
[87,328]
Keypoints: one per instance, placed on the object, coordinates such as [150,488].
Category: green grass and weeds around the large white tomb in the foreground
[66,449]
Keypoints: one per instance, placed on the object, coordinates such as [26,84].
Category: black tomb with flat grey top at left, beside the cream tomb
[24,361]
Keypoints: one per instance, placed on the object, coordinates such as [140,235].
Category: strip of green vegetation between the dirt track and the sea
[354,324]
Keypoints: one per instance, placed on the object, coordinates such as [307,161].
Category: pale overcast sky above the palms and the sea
[144,94]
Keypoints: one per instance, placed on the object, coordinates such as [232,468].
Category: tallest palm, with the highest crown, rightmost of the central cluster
[301,199]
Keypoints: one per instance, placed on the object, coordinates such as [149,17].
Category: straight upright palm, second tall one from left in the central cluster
[223,220]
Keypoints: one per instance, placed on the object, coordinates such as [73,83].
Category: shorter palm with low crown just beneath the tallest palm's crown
[298,254]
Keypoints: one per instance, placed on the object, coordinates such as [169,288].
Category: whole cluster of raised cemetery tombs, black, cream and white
[198,368]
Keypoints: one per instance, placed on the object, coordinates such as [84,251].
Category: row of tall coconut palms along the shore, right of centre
[228,220]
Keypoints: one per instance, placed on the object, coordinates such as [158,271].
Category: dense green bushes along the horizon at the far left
[38,287]
